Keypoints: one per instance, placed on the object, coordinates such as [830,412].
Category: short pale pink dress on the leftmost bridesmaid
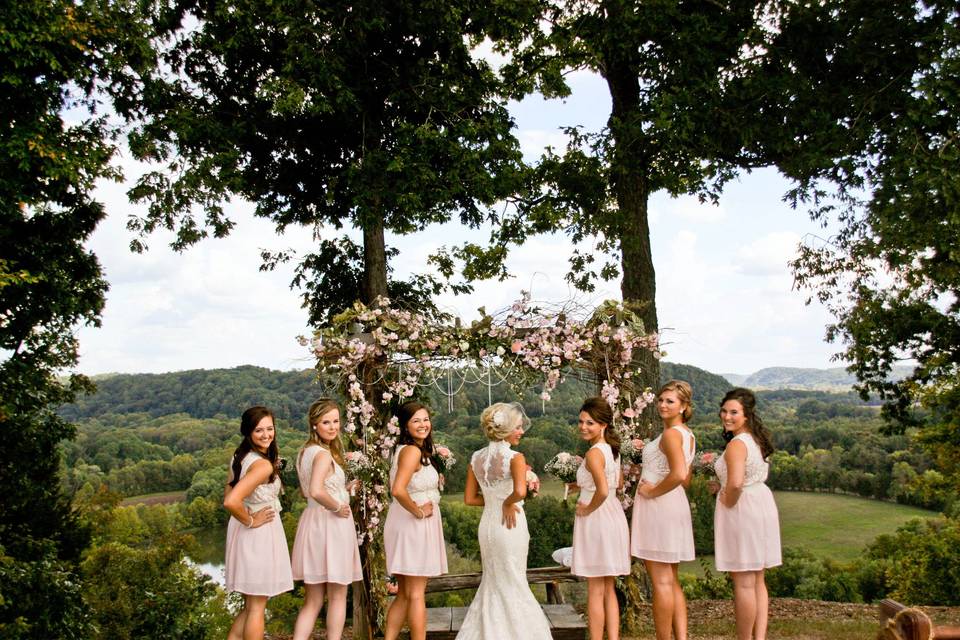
[257,560]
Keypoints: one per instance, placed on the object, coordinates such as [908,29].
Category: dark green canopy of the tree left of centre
[366,115]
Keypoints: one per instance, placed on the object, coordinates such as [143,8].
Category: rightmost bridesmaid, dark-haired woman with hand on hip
[745,527]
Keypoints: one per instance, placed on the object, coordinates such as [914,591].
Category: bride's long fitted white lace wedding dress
[504,607]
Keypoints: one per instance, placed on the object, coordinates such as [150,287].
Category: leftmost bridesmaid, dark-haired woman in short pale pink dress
[257,560]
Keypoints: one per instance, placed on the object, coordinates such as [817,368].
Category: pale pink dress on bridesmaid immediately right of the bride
[601,540]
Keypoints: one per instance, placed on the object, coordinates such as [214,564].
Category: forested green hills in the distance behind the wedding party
[150,433]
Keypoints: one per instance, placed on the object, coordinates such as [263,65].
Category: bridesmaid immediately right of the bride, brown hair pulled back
[601,540]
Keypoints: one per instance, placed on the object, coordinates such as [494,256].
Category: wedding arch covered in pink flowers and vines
[379,356]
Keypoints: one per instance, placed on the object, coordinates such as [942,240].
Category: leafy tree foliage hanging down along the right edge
[891,272]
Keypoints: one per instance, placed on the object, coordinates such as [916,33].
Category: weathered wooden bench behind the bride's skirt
[443,623]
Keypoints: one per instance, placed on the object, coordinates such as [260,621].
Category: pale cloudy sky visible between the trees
[725,295]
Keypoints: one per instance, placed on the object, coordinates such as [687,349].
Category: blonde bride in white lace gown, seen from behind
[504,606]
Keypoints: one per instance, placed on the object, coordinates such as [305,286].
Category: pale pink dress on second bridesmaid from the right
[661,528]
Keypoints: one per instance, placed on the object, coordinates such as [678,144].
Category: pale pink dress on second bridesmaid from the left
[325,549]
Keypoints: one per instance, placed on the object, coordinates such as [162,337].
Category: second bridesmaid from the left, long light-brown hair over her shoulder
[325,552]
